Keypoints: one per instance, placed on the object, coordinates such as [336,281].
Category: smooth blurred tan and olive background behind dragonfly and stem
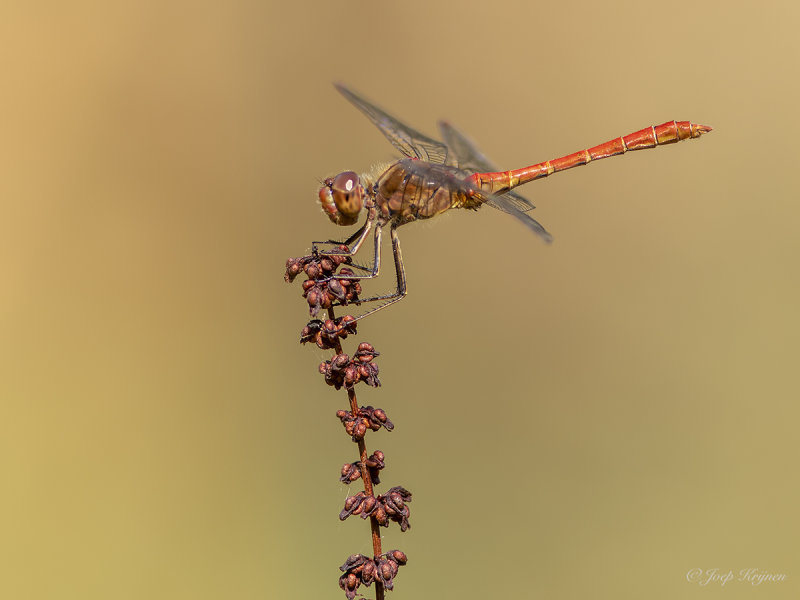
[591,419]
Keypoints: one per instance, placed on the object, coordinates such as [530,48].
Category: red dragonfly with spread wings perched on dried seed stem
[436,176]
